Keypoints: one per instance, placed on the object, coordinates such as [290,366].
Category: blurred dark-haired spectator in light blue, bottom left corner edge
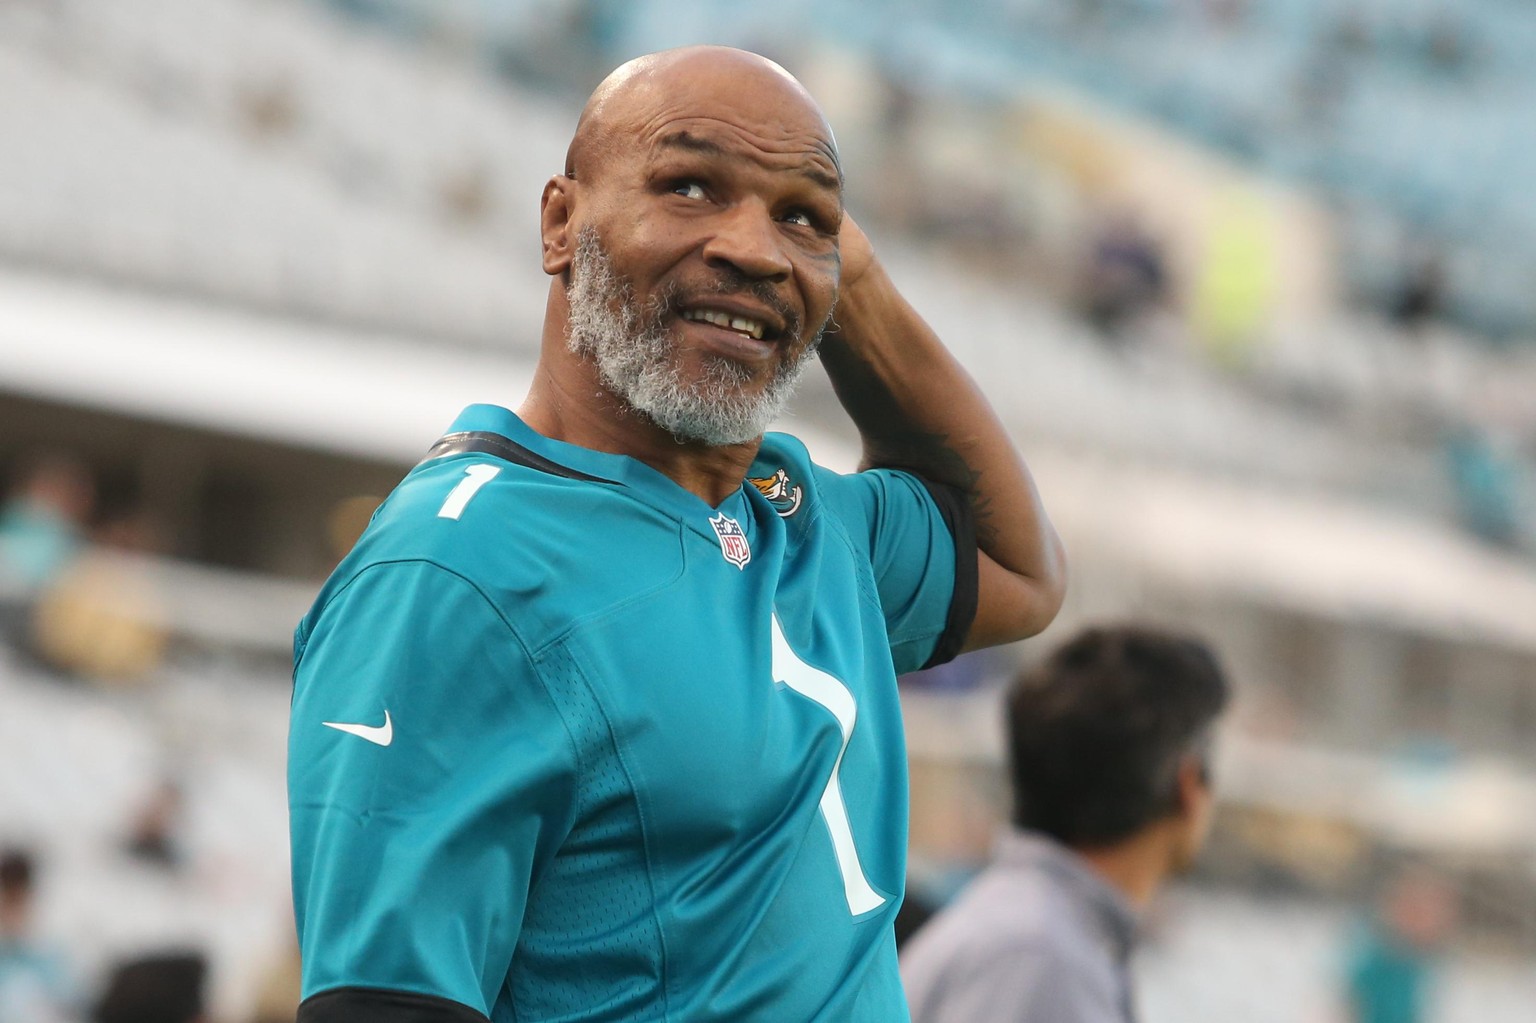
[35,985]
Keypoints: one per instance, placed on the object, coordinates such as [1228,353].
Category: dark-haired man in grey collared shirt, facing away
[1110,746]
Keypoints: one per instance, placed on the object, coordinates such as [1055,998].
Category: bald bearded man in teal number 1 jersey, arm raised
[598,721]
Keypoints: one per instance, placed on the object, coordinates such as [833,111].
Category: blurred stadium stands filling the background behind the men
[1254,282]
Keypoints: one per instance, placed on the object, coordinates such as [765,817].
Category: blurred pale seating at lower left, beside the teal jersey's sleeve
[79,763]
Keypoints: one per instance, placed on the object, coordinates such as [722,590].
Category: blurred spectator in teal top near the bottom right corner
[1392,959]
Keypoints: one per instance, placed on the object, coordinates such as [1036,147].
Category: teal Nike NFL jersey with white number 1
[571,744]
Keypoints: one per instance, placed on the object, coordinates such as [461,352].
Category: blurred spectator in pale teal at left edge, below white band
[42,521]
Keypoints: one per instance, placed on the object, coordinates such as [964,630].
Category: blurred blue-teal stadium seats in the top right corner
[1411,107]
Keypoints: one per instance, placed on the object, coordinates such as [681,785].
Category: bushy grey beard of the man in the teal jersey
[637,359]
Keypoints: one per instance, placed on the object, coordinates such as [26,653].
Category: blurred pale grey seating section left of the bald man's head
[142,161]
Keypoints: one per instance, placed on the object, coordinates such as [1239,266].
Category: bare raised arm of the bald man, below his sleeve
[918,409]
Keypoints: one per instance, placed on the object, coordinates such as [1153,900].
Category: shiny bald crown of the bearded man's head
[695,82]
